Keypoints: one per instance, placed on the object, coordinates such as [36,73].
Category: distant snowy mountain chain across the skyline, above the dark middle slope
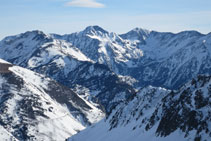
[153,58]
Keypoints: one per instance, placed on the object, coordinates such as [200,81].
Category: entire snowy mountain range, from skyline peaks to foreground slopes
[141,80]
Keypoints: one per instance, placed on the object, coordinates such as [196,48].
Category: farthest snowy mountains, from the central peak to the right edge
[153,58]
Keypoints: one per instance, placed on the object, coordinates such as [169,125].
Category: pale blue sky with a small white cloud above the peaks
[67,16]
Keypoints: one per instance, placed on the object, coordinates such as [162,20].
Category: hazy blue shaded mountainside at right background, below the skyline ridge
[170,60]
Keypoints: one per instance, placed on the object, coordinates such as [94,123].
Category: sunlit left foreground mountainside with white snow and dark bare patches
[34,107]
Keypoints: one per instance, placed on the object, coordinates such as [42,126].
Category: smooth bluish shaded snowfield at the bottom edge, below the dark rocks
[100,132]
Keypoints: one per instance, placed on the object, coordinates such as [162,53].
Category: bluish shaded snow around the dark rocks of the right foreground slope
[131,127]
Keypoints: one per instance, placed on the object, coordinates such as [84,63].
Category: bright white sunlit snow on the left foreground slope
[61,124]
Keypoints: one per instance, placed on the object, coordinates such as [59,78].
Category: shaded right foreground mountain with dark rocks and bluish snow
[158,114]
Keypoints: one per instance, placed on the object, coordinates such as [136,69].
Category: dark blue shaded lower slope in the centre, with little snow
[101,83]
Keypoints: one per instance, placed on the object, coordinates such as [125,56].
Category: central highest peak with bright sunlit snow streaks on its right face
[104,47]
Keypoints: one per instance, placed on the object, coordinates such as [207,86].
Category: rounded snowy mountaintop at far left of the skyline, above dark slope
[33,49]
